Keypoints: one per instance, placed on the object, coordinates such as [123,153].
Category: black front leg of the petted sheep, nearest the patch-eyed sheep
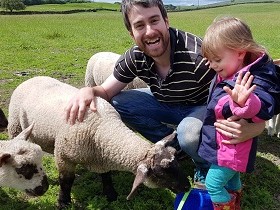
[65,181]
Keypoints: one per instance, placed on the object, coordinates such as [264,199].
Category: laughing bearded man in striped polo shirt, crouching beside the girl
[170,62]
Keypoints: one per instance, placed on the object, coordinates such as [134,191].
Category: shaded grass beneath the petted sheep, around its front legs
[87,193]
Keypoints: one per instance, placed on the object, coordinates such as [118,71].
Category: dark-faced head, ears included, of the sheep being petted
[160,169]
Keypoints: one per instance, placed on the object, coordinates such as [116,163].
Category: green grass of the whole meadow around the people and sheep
[60,45]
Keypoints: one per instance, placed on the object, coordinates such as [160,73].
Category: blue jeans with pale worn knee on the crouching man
[141,111]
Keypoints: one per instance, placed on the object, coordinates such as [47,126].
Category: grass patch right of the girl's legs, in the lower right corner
[261,188]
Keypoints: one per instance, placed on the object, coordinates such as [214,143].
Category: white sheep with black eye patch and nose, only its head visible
[20,165]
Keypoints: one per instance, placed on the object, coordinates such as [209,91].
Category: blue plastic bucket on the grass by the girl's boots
[195,199]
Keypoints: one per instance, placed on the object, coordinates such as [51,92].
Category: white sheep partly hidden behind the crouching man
[101,65]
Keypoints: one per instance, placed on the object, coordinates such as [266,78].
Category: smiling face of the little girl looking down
[227,62]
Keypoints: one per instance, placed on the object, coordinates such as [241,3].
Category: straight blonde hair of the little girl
[231,33]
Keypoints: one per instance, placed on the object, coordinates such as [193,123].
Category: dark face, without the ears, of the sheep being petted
[166,173]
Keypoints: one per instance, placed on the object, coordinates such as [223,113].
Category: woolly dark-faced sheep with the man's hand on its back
[102,142]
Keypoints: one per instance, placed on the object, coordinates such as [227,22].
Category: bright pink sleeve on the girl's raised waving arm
[251,108]
